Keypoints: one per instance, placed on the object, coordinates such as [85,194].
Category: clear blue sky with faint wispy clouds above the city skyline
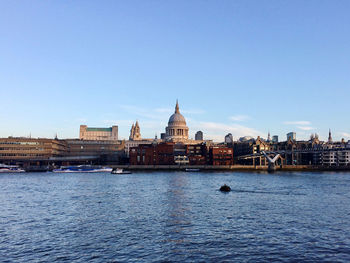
[243,67]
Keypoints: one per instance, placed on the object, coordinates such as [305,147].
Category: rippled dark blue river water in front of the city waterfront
[175,216]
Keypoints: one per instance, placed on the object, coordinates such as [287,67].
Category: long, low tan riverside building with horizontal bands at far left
[41,151]
